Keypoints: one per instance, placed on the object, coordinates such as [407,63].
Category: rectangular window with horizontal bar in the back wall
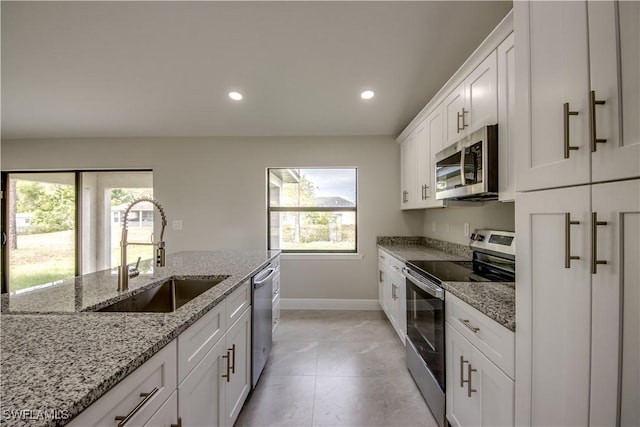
[312,209]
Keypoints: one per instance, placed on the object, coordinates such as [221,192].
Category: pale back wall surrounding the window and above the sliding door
[217,187]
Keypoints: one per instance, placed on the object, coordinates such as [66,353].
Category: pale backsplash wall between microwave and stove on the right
[449,222]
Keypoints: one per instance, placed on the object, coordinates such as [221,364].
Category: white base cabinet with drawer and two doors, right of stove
[479,392]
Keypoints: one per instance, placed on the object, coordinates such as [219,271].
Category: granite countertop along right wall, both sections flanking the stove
[496,300]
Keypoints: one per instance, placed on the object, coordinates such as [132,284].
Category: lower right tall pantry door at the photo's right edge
[616,302]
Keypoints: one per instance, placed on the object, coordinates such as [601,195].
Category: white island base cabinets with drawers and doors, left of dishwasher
[202,378]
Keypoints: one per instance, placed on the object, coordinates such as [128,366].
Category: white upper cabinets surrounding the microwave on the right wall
[480,93]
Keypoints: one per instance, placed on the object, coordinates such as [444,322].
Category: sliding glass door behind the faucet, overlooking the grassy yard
[62,224]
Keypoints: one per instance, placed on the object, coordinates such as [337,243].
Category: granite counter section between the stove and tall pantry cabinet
[495,299]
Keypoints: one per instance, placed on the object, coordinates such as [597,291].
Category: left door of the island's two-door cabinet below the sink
[201,394]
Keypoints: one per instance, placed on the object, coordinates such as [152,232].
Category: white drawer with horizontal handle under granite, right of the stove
[495,341]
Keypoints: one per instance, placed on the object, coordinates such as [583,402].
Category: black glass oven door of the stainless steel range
[425,326]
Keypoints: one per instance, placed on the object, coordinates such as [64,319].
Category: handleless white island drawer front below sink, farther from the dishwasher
[199,338]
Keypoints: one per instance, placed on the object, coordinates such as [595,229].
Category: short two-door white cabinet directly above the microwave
[474,103]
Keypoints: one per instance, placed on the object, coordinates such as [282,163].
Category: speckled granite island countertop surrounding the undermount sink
[58,358]
